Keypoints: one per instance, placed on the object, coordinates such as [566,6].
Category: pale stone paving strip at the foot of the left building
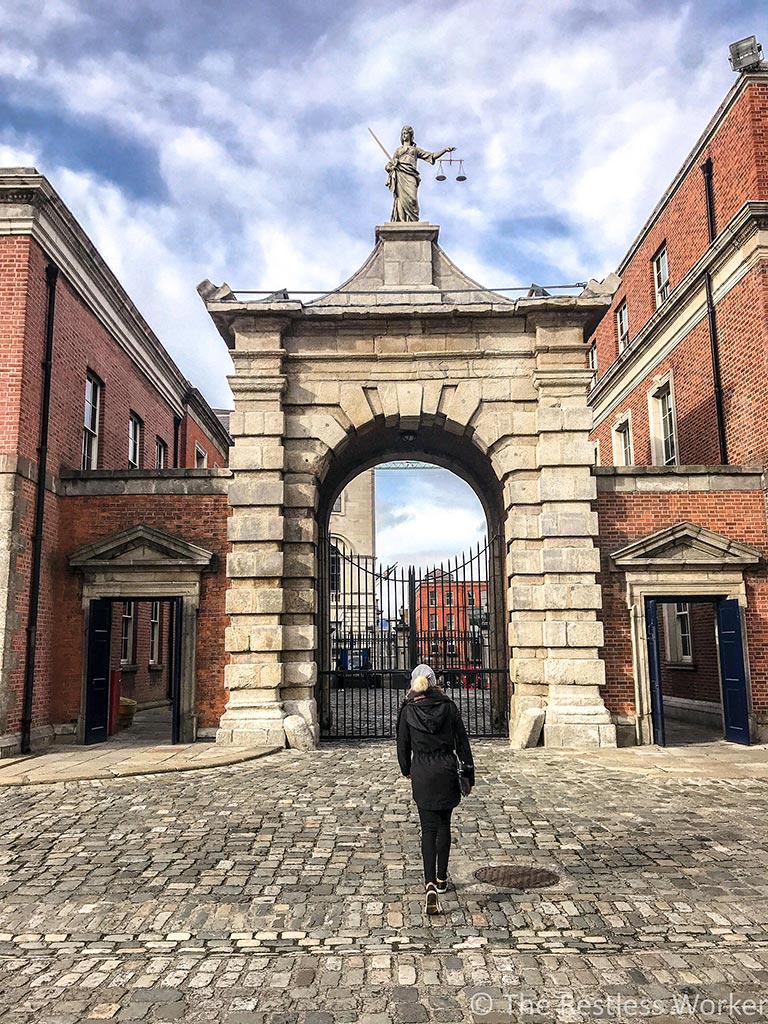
[77,764]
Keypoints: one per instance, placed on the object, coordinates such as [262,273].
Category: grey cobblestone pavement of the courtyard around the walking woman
[288,891]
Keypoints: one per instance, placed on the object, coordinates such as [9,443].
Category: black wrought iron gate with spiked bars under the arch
[378,623]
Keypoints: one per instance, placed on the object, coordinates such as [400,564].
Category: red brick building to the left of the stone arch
[88,390]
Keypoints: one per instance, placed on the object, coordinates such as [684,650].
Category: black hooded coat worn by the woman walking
[430,731]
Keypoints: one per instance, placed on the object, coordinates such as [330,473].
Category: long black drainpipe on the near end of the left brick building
[52,276]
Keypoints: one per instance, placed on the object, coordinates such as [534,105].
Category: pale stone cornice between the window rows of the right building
[752,219]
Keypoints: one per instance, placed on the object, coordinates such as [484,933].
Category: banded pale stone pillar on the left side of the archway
[255,602]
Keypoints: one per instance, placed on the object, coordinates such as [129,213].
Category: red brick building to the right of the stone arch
[679,404]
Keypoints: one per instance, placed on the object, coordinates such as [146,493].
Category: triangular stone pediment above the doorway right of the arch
[686,546]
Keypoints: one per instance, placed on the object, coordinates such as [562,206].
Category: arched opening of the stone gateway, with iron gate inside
[383,613]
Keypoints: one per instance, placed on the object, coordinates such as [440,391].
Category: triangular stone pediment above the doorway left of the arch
[141,547]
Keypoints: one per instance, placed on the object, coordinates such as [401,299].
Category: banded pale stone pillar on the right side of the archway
[554,596]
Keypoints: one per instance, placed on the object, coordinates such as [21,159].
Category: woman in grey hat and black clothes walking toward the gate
[431,736]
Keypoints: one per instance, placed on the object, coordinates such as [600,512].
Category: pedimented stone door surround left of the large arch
[144,564]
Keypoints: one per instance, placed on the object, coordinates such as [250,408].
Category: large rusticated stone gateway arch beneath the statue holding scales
[412,358]
